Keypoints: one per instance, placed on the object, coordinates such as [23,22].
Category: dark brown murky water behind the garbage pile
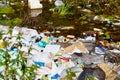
[42,19]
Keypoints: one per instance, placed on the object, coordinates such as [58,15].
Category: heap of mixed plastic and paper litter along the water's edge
[60,57]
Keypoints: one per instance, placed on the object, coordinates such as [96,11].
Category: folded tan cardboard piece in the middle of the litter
[78,45]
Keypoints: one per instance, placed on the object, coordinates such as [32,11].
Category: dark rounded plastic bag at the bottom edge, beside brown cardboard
[90,73]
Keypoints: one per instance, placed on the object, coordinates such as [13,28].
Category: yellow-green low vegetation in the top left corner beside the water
[7,12]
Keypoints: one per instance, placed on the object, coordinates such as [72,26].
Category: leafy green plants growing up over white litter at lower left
[15,63]
